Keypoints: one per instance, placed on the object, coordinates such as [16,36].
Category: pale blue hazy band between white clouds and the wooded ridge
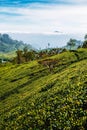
[40,41]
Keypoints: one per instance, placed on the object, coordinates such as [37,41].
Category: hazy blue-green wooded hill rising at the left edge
[7,44]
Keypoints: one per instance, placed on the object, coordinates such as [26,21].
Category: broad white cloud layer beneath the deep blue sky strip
[69,19]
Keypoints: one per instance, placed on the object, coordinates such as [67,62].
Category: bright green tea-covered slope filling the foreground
[35,99]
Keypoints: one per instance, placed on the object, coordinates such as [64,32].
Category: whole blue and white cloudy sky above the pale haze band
[43,16]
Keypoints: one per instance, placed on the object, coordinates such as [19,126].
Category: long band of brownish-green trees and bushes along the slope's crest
[29,55]
